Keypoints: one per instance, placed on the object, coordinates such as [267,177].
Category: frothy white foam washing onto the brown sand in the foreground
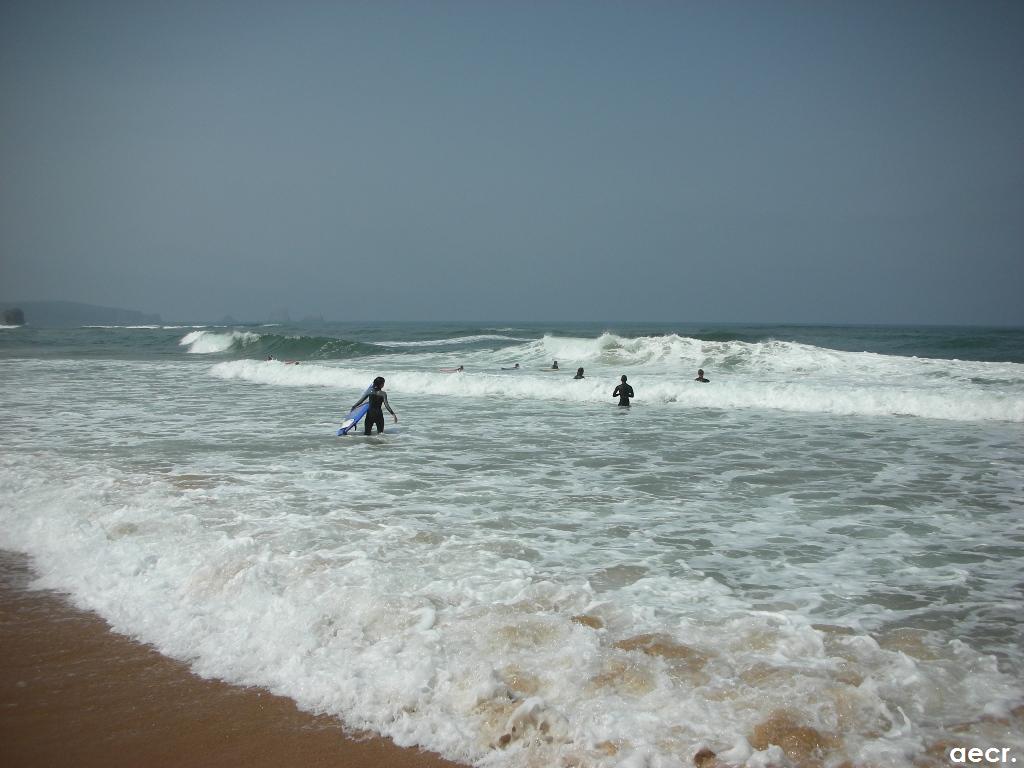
[455,642]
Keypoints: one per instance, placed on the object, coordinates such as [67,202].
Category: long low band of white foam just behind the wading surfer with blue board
[889,388]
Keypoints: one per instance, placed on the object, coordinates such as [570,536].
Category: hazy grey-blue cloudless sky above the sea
[855,162]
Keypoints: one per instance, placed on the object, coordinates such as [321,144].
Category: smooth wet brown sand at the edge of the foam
[73,694]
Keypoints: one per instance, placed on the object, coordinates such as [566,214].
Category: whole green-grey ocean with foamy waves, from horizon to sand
[817,558]
